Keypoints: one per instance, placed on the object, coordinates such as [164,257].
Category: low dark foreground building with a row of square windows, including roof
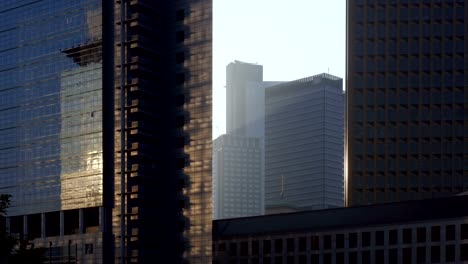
[424,231]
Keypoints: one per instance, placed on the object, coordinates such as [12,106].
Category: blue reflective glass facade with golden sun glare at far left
[50,106]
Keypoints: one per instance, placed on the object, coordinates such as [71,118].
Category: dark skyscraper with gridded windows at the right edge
[407,98]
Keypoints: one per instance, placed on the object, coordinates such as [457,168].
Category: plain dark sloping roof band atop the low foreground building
[339,218]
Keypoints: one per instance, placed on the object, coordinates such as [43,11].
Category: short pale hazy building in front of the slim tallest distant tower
[237,177]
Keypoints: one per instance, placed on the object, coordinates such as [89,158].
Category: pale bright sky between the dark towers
[292,39]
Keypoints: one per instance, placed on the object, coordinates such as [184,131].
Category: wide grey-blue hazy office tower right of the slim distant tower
[304,122]
